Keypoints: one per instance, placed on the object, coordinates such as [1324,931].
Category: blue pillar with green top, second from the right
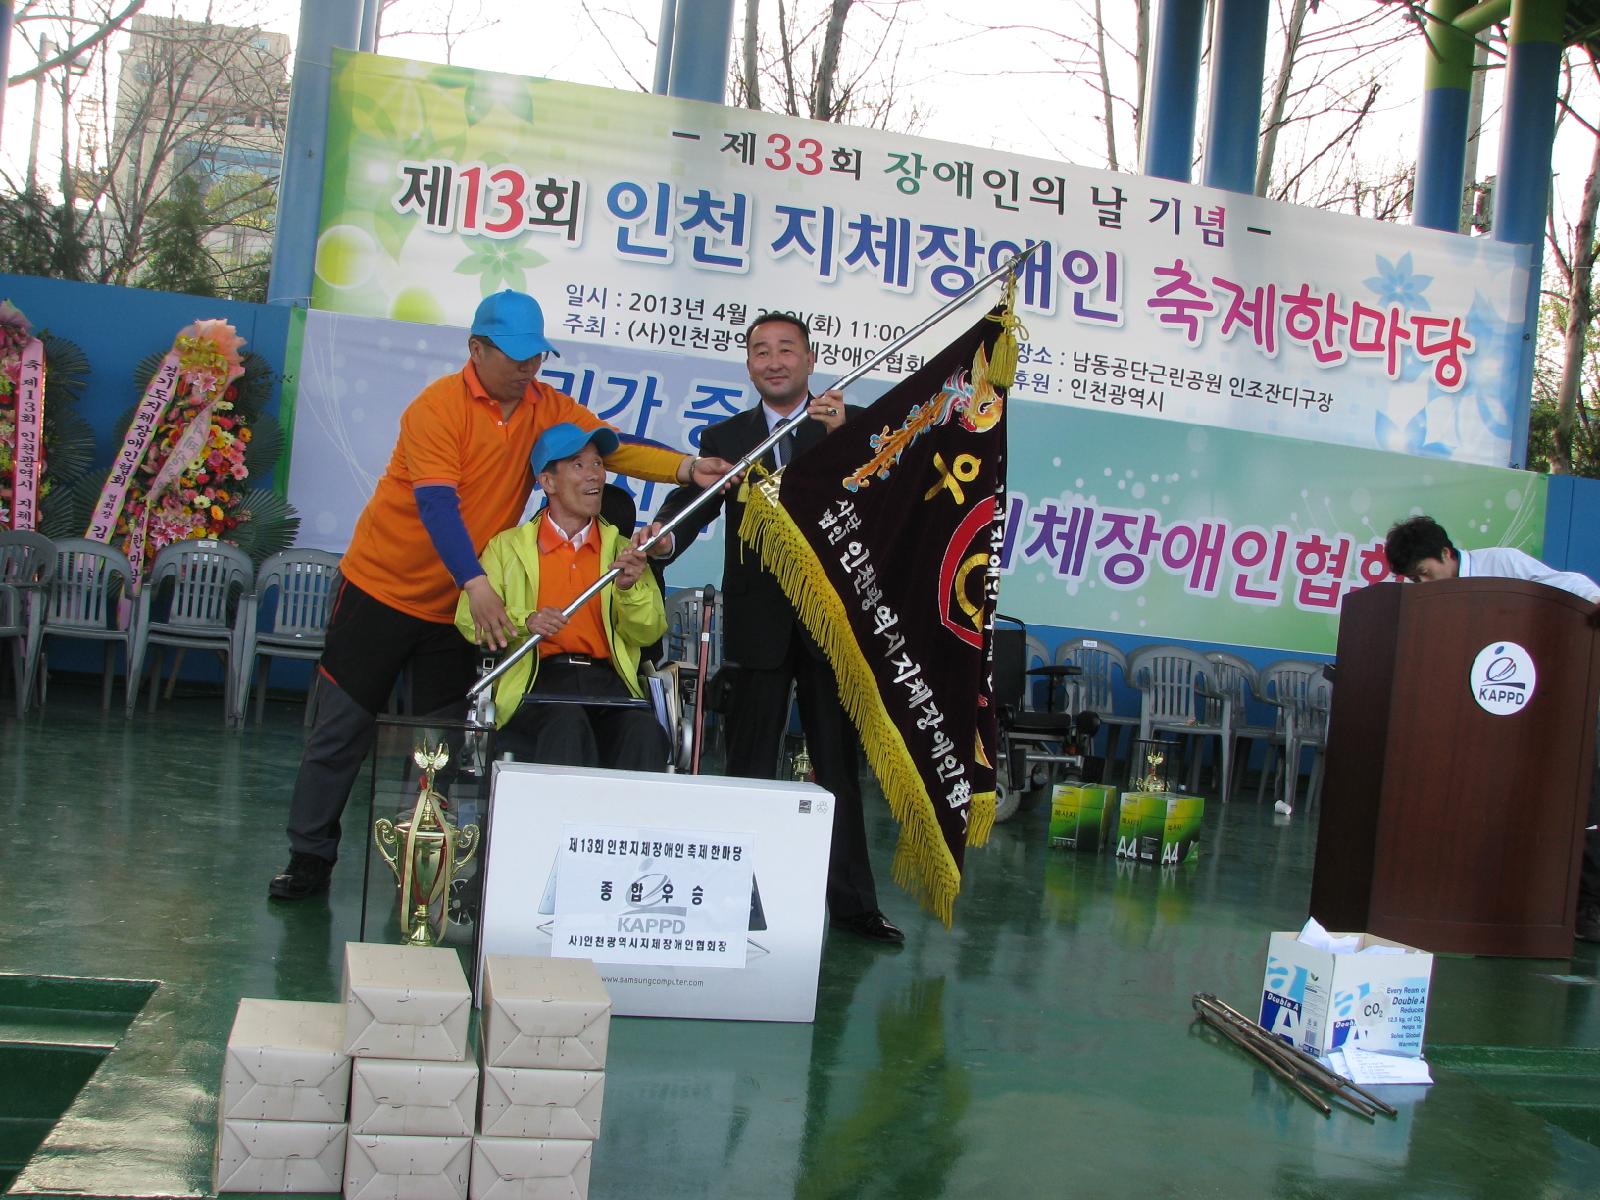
[1447,94]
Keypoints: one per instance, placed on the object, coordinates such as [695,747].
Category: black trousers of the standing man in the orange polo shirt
[369,644]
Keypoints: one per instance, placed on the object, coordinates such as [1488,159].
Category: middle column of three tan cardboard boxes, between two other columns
[415,1084]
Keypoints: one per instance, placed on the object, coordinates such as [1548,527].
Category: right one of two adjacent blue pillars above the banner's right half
[1239,57]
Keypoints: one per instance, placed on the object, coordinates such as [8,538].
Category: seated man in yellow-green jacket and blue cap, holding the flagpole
[538,570]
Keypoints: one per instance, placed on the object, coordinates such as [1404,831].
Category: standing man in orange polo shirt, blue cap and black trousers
[460,474]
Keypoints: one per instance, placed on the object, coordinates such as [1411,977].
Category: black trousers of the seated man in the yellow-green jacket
[570,734]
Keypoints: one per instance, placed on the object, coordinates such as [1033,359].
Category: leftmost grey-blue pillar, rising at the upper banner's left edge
[326,25]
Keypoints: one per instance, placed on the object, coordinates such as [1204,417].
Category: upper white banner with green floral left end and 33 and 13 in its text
[663,226]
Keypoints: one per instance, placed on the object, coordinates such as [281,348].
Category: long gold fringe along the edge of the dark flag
[922,862]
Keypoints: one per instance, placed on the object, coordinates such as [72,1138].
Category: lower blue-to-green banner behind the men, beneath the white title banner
[1182,530]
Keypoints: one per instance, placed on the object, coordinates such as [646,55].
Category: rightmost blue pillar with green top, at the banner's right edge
[1522,191]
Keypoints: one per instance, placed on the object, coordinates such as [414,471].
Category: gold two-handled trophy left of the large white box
[425,854]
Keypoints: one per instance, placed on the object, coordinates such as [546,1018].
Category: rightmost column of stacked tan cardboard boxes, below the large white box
[546,1025]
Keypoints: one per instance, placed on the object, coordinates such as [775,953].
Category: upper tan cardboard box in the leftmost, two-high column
[286,1063]
